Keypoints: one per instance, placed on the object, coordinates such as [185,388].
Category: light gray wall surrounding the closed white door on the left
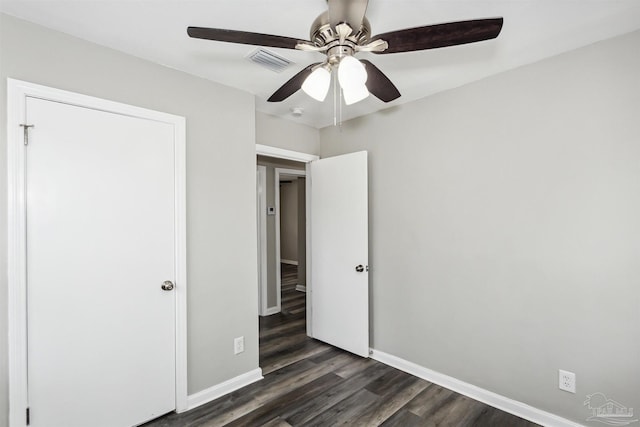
[220,173]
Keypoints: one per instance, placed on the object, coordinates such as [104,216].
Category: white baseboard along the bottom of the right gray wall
[503,403]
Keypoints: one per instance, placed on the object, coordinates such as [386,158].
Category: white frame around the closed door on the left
[18,92]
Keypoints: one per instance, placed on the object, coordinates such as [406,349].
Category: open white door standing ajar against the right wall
[339,244]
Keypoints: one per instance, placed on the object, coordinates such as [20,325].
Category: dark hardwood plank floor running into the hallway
[309,383]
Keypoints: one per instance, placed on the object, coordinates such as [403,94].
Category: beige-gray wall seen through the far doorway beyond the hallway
[289,219]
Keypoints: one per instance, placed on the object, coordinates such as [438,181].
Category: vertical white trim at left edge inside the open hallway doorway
[262,239]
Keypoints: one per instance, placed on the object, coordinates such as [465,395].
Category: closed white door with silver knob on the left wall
[100,243]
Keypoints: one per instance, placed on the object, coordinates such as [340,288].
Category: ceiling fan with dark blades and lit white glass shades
[343,31]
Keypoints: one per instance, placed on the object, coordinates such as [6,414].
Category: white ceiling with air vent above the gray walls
[156,30]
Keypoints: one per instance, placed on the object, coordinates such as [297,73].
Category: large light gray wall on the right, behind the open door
[504,228]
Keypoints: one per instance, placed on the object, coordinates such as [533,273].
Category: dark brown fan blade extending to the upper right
[441,35]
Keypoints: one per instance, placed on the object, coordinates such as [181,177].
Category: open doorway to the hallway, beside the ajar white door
[282,254]
